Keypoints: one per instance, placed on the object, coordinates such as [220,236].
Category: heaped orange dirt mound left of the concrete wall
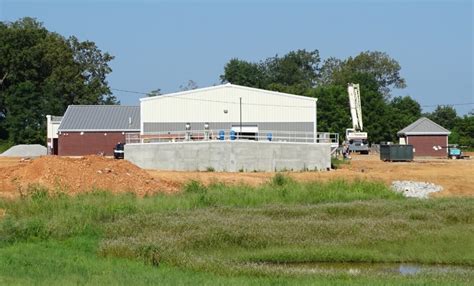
[74,175]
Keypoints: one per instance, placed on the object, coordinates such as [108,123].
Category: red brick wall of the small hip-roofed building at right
[423,145]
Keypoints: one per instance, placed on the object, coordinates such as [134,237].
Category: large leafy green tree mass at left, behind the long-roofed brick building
[42,73]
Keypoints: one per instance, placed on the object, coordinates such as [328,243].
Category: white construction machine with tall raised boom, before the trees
[355,137]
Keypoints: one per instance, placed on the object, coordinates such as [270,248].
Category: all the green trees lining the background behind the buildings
[42,72]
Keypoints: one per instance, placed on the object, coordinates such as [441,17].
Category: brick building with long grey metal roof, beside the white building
[96,129]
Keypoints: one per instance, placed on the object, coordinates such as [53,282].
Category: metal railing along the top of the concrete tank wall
[210,135]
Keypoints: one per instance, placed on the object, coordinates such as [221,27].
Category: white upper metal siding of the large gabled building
[209,106]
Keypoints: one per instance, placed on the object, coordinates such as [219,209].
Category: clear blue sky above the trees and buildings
[164,44]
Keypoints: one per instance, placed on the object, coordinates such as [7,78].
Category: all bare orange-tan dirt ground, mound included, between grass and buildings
[84,174]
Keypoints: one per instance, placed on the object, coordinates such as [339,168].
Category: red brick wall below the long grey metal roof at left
[90,143]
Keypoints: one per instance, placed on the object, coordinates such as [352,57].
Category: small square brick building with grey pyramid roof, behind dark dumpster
[428,138]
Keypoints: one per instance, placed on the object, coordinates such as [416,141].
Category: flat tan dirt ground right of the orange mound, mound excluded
[456,176]
